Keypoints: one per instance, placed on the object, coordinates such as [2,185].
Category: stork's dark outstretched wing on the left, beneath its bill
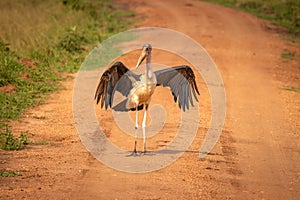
[108,81]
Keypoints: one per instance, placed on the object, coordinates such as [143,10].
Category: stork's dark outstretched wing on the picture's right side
[181,80]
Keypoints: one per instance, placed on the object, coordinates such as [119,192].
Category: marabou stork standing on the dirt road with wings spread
[138,88]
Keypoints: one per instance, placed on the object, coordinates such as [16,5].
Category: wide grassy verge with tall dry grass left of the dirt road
[41,41]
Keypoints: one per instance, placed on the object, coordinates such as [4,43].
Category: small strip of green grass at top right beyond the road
[285,13]
